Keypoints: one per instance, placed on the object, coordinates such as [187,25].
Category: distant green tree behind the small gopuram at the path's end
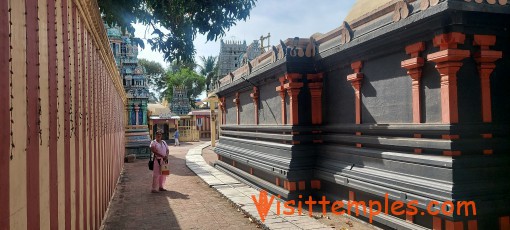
[185,77]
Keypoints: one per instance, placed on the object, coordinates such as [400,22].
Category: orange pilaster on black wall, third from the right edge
[414,69]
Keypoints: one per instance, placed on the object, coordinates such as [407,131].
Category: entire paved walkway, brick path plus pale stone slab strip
[200,198]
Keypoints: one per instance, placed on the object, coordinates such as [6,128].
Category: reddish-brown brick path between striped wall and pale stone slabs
[189,203]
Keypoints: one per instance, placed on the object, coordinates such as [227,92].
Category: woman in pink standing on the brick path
[160,150]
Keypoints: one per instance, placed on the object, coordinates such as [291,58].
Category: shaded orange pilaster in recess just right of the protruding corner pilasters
[315,85]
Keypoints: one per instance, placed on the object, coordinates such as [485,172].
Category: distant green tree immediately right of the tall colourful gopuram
[155,77]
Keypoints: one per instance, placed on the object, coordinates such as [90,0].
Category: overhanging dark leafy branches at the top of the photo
[176,22]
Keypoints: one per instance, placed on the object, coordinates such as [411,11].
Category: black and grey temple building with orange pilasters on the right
[406,102]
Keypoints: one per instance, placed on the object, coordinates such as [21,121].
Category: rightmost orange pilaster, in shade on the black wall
[485,60]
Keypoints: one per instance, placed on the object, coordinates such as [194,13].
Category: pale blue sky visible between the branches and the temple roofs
[282,18]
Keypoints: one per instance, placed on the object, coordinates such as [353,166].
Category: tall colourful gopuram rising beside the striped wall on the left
[125,51]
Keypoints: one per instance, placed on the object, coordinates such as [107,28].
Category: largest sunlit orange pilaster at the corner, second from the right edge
[448,62]
